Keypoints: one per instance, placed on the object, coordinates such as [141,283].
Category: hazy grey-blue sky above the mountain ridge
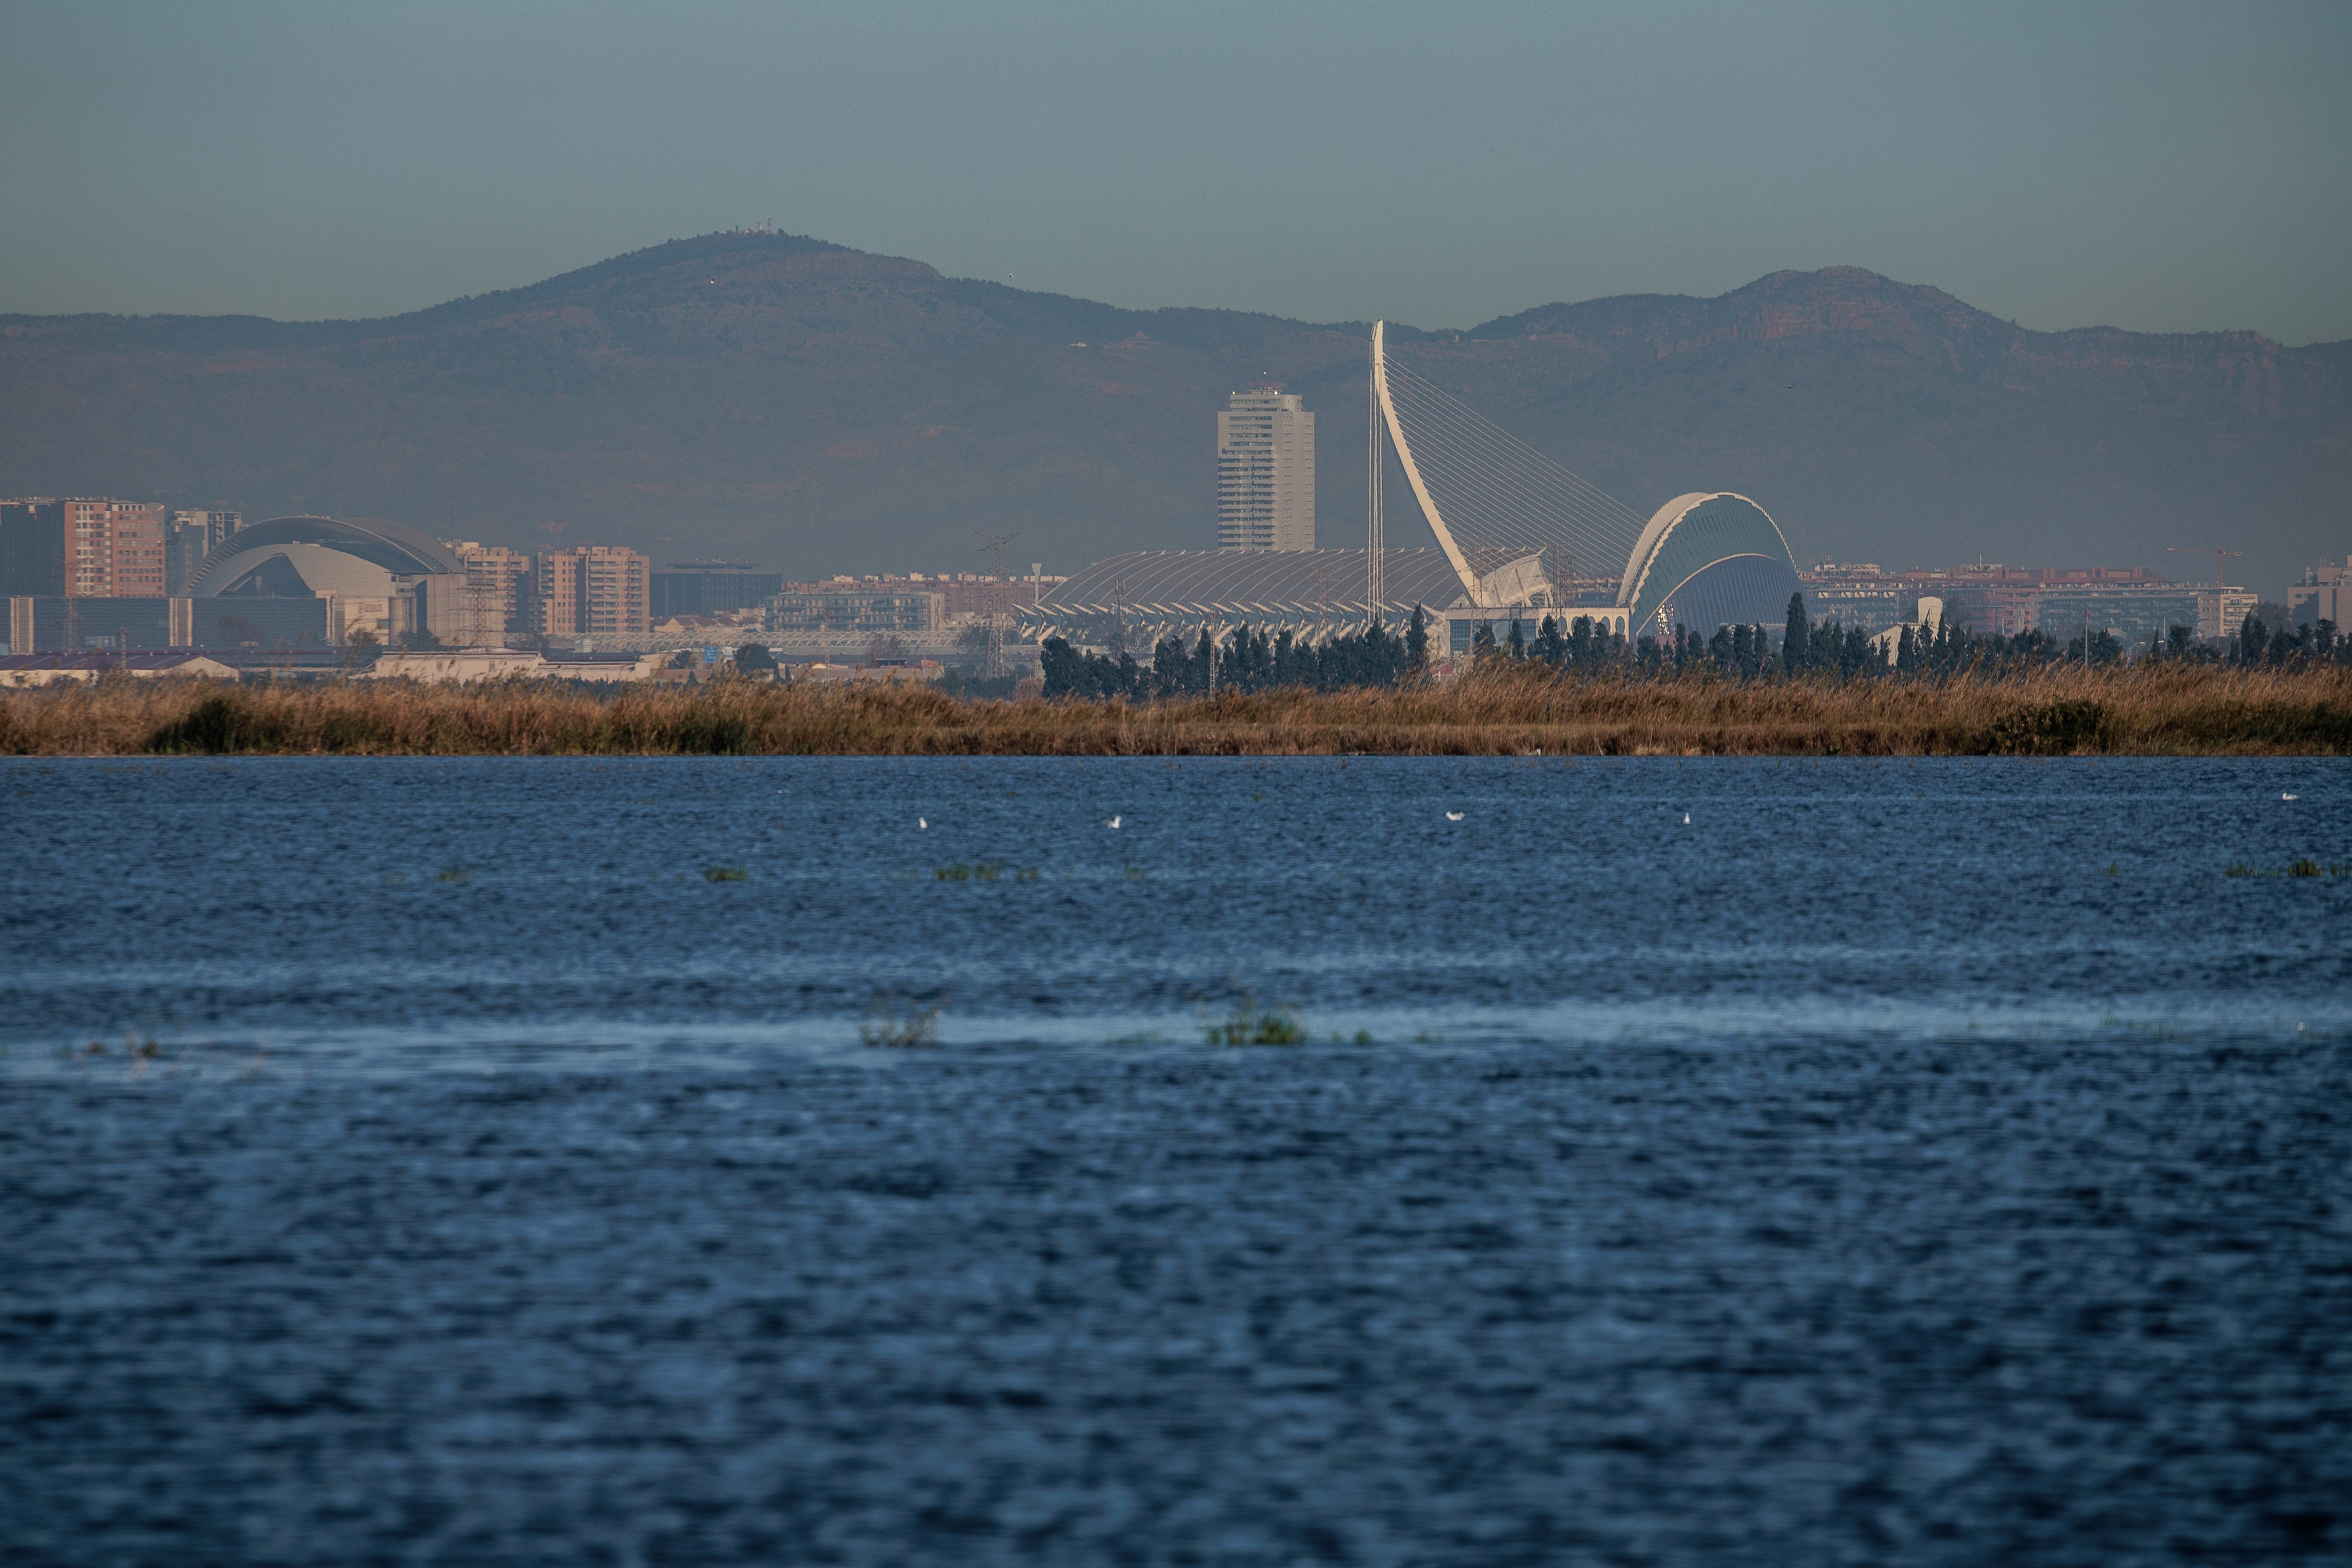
[2139,166]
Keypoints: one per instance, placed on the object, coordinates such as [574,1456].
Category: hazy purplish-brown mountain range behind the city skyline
[824,410]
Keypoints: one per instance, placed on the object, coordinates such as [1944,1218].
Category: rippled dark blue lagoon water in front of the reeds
[1897,1162]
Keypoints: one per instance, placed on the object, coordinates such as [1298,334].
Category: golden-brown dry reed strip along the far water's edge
[1514,711]
